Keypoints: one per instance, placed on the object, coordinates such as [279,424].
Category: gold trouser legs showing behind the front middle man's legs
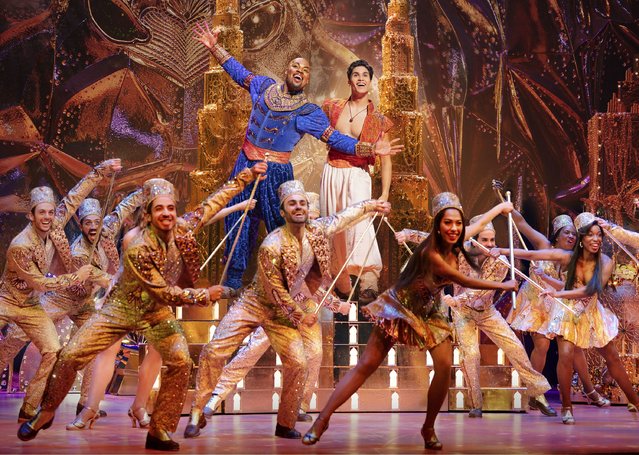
[258,344]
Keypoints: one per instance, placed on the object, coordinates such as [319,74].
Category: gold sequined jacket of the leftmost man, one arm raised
[29,259]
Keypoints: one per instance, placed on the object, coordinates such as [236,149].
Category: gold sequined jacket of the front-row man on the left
[147,282]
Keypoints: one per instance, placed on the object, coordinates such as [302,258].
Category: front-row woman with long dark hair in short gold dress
[410,313]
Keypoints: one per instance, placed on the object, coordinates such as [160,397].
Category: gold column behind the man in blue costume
[221,124]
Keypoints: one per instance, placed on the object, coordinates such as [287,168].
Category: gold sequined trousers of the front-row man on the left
[116,319]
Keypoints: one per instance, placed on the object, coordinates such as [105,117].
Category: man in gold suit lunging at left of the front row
[141,301]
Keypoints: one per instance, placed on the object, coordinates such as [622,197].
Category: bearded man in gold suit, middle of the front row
[293,275]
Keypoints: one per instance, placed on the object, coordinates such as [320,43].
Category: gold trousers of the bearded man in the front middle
[243,318]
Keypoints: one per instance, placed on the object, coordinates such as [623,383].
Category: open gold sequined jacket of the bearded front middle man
[279,256]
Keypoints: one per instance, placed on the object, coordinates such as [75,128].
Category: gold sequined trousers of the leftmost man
[37,326]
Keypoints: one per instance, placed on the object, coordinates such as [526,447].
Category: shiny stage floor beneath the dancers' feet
[608,430]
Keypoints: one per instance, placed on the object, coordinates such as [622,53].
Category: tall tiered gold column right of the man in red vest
[398,101]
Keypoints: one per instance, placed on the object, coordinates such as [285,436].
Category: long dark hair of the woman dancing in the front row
[419,265]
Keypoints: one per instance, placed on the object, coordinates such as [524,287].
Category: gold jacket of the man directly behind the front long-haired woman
[479,299]
